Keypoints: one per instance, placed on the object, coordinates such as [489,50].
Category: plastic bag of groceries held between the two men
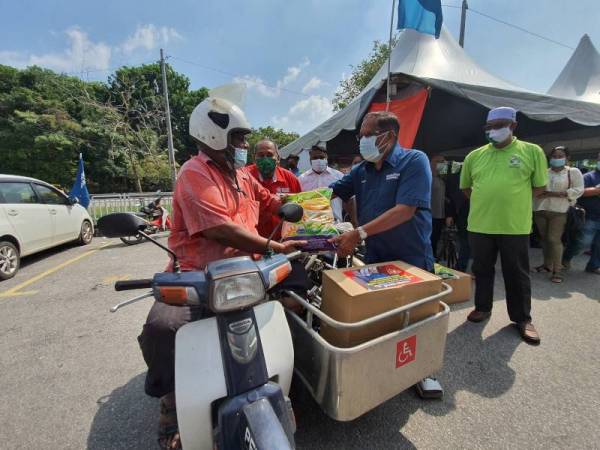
[317,226]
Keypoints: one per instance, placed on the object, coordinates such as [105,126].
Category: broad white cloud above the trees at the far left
[82,54]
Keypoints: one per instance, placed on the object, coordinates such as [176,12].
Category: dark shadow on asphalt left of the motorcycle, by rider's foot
[126,419]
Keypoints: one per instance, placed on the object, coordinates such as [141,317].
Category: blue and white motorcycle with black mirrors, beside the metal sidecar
[233,370]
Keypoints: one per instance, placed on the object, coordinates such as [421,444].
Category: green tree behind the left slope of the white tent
[362,74]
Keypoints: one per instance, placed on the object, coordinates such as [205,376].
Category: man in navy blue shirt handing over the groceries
[393,195]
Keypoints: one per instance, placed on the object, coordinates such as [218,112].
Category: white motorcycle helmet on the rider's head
[214,119]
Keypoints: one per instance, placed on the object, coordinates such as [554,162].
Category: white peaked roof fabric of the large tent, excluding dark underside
[443,64]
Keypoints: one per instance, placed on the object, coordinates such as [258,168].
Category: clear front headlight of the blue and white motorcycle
[236,292]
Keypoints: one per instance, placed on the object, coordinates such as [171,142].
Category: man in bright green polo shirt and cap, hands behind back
[501,179]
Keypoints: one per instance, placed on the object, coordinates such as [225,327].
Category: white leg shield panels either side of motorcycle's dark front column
[200,377]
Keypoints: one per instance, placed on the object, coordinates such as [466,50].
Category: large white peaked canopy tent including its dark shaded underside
[460,94]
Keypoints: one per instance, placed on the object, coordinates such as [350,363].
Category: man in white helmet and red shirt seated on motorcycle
[215,215]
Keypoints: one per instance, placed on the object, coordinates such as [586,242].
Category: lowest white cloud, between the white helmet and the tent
[305,114]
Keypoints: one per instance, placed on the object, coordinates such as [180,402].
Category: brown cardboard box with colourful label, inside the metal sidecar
[351,295]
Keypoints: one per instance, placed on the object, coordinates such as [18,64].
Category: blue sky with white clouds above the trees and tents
[291,54]
